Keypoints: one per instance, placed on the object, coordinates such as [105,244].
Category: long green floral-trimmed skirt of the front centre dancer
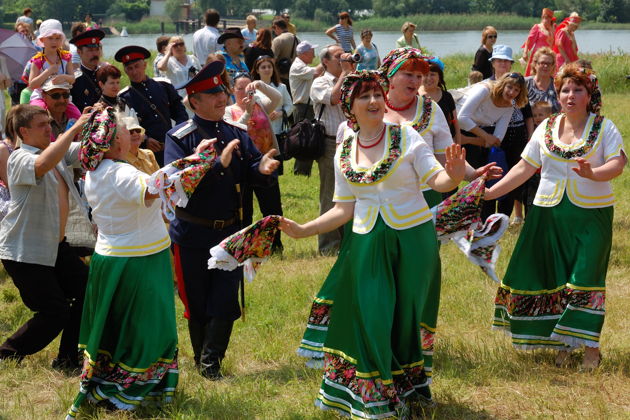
[376,353]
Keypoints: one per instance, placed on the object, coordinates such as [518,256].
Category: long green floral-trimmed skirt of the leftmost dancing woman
[128,332]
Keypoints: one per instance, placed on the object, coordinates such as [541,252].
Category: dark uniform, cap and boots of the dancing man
[212,214]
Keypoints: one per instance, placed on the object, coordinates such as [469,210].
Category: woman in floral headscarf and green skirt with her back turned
[128,331]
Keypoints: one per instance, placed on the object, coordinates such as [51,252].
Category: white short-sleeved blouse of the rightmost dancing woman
[556,173]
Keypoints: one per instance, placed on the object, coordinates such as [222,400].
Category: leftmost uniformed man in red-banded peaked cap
[85,90]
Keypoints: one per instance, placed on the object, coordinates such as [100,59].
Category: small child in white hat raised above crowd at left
[53,62]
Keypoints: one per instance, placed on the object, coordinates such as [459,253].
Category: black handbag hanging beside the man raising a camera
[306,139]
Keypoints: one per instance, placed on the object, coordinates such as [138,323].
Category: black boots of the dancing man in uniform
[209,343]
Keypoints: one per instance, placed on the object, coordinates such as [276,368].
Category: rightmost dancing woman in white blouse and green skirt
[553,292]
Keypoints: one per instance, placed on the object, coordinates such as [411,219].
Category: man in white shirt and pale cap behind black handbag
[301,78]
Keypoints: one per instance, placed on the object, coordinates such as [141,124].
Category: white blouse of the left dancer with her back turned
[127,225]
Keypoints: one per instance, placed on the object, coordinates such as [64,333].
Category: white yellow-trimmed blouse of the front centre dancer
[390,187]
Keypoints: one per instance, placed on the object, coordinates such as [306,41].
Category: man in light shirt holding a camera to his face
[326,92]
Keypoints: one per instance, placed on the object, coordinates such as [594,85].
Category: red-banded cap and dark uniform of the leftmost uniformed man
[85,91]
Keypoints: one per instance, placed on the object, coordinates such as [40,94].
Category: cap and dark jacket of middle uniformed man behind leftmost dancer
[155,101]
